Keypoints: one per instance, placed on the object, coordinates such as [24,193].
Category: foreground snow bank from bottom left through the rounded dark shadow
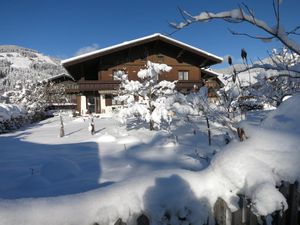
[155,194]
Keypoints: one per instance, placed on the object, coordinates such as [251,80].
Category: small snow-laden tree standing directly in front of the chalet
[149,98]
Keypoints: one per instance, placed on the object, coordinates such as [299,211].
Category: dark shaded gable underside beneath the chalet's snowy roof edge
[136,54]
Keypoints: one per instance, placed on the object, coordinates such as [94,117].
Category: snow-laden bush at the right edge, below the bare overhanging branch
[277,78]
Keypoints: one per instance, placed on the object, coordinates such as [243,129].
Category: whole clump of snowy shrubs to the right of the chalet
[268,83]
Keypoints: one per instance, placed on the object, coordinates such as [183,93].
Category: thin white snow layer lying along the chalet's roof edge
[200,51]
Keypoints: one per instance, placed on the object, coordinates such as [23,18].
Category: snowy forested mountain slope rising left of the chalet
[22,64]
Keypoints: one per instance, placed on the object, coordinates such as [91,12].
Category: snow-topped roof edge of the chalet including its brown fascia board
[125,44]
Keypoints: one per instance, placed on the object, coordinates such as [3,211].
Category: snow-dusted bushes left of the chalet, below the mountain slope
[27,103]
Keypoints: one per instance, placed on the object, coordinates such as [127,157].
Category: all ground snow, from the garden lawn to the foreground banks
[119,172]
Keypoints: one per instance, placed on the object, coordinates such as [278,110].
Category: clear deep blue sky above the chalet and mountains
[60,28]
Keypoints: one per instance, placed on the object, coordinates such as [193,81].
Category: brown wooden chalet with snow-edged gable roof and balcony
[93,71]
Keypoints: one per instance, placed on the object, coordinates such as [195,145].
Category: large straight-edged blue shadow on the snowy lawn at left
[41,170]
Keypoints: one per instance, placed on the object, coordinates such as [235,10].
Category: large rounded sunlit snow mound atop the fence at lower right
[255,167]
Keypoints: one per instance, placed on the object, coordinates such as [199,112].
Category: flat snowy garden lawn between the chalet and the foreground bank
[42,164]
